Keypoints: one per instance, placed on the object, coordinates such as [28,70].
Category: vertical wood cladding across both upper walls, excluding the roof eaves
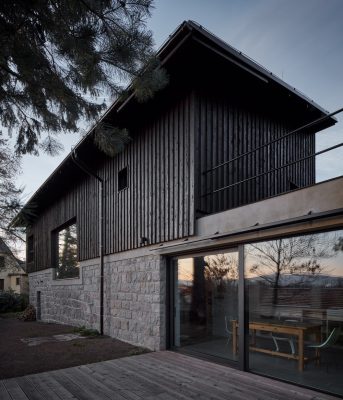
[164,160]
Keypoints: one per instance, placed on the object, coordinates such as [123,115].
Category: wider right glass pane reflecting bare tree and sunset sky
[295,289]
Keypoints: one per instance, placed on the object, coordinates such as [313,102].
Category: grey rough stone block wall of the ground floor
[134,298]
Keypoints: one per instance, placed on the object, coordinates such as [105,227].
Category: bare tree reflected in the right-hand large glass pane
[294,256]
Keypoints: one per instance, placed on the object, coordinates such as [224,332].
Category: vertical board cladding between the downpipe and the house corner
[156,204]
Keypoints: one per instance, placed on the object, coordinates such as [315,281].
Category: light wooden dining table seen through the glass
[296,329]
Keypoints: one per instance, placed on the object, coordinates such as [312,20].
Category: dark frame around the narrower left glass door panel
[242,362]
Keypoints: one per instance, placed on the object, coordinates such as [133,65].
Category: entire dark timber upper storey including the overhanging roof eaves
[214,109]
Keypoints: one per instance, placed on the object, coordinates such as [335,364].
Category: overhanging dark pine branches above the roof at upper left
[58,56]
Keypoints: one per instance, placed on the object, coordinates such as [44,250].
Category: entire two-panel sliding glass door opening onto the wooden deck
[282,316]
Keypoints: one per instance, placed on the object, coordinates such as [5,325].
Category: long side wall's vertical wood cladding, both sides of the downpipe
[158,203]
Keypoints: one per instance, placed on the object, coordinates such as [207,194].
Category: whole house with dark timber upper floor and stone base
[181,240]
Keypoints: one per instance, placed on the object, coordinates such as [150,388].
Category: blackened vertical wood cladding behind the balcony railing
[225,130]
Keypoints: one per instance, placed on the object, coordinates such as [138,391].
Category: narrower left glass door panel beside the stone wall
[206,303]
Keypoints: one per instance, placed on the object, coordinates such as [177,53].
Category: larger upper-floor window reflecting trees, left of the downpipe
[65,252]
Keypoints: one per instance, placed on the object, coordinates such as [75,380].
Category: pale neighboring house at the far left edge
[12,271]
